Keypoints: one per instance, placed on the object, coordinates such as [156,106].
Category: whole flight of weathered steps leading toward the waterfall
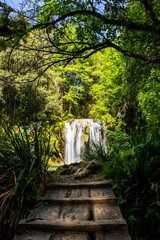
[77,211]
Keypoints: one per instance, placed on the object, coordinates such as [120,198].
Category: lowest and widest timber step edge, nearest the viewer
[79,226]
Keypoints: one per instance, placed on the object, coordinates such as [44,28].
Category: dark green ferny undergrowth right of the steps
[133,164]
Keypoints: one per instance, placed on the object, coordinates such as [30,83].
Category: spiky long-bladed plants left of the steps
[24,155]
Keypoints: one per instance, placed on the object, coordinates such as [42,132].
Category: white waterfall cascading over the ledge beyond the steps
[78,133]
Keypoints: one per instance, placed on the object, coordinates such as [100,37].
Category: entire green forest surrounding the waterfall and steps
[69,59]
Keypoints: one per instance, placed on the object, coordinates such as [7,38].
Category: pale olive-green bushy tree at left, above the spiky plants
[21,98]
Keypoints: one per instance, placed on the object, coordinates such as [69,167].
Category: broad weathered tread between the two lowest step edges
[76,212]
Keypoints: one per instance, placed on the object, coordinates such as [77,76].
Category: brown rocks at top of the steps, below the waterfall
[80,170]
